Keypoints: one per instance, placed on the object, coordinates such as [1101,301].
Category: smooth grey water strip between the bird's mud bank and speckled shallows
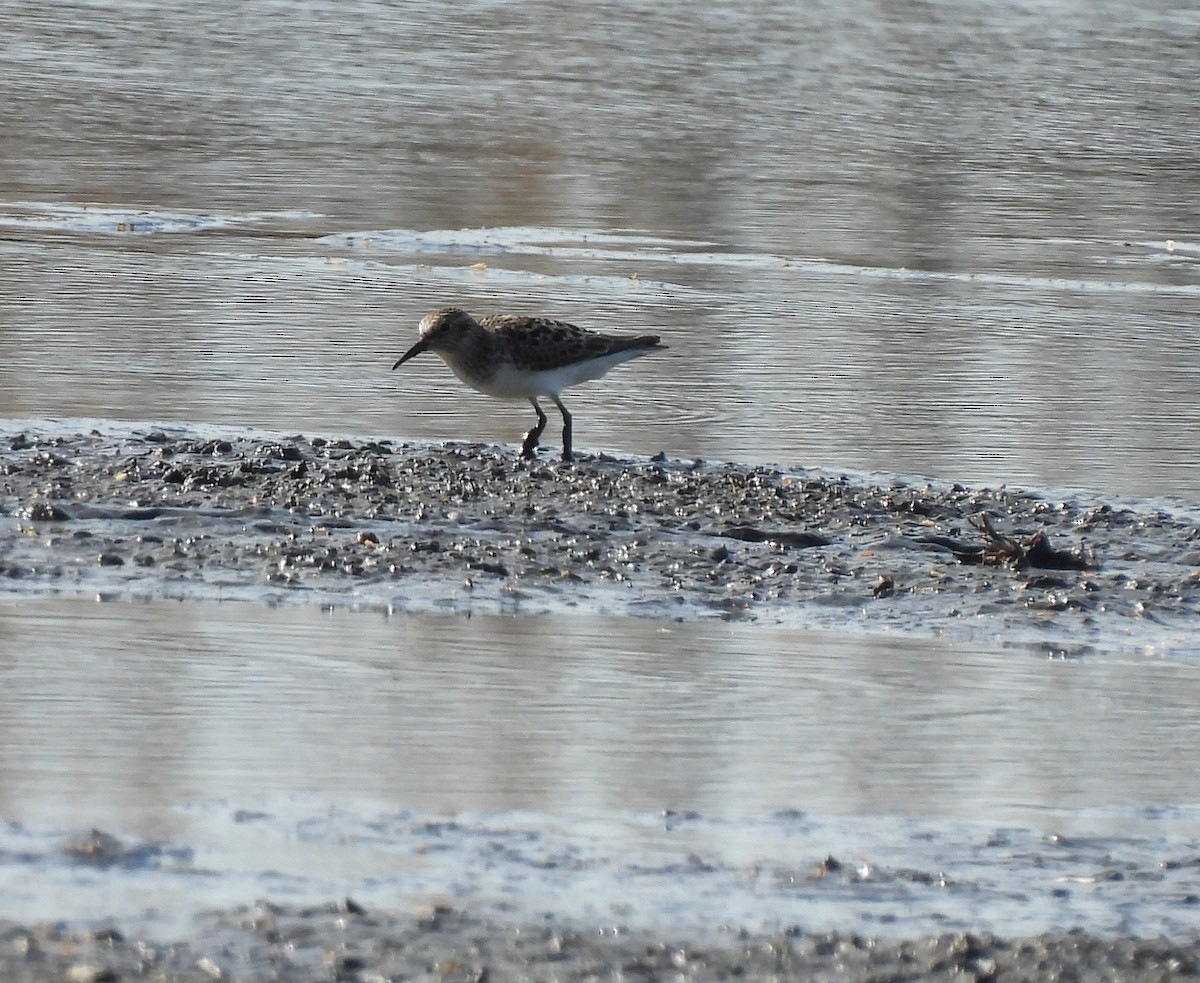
[140,709]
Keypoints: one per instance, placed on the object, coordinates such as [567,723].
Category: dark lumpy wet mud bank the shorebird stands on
[239,516]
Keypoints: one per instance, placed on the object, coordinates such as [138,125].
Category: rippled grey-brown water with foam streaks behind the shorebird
[939,241]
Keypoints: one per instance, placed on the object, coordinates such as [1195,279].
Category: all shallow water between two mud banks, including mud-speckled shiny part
[602,769]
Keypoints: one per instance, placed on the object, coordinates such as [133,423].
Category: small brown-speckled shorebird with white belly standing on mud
[519,358]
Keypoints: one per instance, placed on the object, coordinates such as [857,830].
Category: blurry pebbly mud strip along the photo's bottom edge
[347,943]
